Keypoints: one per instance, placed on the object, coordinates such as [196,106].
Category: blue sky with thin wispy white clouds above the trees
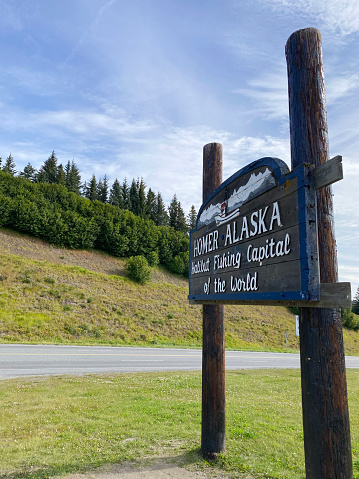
[137,88]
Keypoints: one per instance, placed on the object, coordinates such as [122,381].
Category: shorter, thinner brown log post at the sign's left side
[213,353]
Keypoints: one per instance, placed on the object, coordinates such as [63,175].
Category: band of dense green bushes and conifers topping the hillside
[52,211]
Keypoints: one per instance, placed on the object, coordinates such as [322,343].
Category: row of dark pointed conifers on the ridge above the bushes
[128,196]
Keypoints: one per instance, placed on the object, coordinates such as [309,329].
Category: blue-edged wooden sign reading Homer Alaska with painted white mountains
[256,238]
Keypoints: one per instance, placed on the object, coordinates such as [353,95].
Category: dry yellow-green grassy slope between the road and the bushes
[51,294]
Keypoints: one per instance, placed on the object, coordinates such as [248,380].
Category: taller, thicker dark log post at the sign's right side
[324,391]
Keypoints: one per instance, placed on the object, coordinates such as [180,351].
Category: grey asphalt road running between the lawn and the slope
[43,360]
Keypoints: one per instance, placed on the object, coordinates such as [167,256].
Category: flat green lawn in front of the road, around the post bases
[67,424]
